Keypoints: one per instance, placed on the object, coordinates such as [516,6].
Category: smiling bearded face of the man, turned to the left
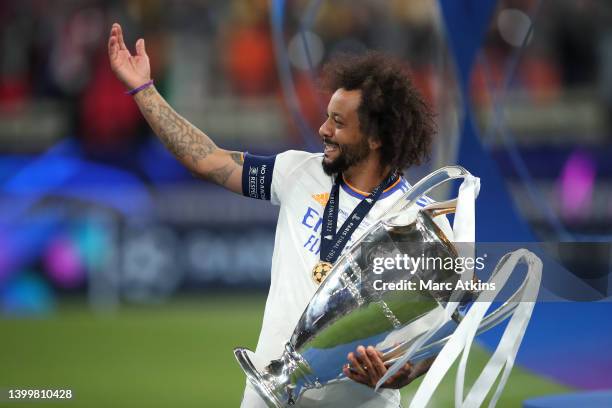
[345,144]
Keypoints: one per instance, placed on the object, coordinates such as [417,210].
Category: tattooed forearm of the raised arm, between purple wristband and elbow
[183,139]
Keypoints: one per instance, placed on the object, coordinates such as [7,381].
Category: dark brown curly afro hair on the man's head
[391,108]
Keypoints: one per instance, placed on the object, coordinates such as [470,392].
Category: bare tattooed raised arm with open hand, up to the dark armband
[192,147]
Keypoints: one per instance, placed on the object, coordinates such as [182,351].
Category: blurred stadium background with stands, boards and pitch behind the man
[128,281]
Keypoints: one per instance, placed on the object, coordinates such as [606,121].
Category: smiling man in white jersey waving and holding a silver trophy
[377,124]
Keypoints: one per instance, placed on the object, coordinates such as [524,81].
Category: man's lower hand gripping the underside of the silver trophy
[367,367]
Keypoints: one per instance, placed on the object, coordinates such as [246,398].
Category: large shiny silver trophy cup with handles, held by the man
[350,309]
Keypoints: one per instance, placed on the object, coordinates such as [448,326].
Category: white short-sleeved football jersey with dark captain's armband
[295,181]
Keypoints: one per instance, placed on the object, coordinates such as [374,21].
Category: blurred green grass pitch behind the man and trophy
[173,355]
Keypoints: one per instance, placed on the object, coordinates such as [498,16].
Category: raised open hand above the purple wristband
[132,70]
